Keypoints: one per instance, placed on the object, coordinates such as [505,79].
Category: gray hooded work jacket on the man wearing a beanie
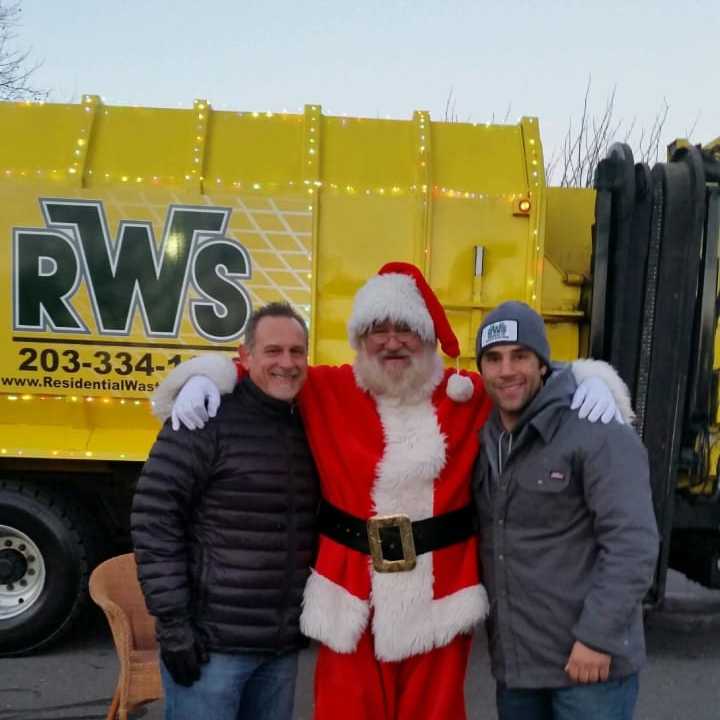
[568,539]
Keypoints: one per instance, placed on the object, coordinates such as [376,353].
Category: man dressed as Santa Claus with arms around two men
[395,592]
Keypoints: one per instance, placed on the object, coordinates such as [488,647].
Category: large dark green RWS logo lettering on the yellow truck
[131,273]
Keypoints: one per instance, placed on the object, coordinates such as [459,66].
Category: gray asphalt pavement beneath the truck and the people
[75,679]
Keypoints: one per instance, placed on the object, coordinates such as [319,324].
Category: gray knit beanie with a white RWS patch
[513,323]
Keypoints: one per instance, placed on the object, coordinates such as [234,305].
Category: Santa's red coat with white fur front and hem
[376,456]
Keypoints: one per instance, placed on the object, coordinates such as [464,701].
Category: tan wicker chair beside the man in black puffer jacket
[114,587]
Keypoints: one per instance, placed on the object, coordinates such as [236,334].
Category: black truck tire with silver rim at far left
[47,550]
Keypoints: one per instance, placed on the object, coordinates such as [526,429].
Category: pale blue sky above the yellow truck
[375,58]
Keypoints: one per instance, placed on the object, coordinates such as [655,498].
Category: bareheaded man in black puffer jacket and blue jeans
[223,528]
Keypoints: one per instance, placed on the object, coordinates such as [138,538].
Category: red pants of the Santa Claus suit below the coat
[358,686]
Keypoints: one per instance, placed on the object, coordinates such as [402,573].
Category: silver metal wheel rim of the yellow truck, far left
[22,572]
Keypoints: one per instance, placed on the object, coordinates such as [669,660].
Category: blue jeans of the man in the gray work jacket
[611,700]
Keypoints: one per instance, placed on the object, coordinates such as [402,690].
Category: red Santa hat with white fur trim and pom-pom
[400,293]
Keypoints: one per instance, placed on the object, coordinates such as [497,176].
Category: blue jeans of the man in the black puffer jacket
[235,687]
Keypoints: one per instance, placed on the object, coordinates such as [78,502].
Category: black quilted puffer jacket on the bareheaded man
[223,524]
